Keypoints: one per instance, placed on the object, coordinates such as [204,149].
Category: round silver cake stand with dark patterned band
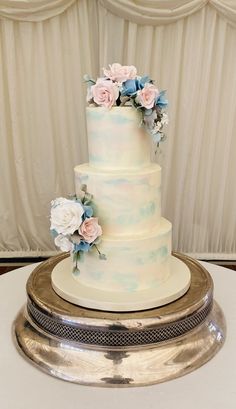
[119,349]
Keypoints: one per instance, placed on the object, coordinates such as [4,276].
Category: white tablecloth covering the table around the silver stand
[22,386]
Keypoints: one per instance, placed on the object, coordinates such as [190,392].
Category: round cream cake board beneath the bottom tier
[74,291]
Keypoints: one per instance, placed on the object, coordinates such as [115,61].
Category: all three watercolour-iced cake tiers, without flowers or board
[126,189]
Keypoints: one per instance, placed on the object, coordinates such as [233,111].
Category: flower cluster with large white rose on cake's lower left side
[73,226]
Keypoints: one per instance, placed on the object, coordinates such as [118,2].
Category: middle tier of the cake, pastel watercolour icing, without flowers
[126,202]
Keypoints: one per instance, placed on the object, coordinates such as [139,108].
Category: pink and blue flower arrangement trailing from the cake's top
[121,86]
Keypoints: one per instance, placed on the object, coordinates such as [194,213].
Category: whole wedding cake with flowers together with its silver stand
[118,259]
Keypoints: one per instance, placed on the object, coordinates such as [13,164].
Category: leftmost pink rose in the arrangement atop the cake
[105,92]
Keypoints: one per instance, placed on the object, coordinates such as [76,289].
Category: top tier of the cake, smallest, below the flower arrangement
[116,139]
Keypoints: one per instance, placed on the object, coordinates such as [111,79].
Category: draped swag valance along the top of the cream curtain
[151,12]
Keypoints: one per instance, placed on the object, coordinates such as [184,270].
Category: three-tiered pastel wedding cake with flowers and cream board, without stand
[123,262]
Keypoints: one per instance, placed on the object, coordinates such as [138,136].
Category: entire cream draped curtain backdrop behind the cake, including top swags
[187,46]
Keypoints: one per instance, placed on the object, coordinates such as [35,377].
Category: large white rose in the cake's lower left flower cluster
[66,216]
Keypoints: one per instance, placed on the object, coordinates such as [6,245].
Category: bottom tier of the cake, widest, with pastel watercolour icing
[132,263]
